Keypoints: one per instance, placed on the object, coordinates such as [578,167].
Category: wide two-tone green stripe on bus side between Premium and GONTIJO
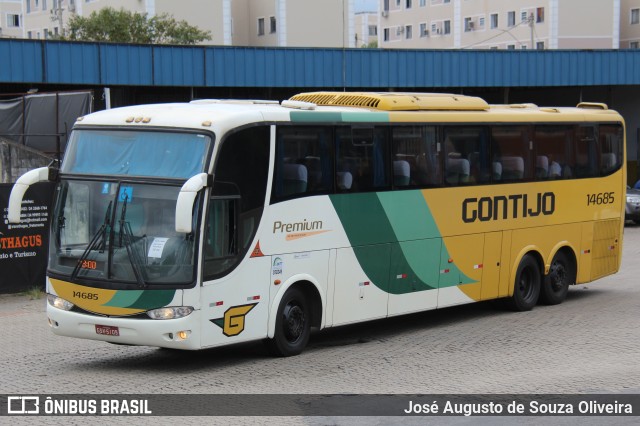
[396,241]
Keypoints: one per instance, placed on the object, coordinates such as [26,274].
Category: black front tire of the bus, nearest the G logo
[293,325]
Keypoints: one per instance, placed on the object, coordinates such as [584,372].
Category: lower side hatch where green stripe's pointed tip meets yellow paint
[461,265]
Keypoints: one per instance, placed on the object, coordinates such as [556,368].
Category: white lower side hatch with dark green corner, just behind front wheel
[361,283]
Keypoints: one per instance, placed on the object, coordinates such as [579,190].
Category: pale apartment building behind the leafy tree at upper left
[299,23]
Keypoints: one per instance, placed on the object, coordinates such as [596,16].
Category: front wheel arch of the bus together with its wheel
[297,310]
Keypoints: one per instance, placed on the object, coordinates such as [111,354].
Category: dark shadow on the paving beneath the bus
[376,331]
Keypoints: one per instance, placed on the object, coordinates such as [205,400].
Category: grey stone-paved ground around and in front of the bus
[588,344]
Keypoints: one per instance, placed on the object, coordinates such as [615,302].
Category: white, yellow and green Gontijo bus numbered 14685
[215,222]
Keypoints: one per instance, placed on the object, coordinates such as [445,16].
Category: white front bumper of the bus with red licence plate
[180,333]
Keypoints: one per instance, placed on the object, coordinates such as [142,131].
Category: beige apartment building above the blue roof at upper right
[502,24]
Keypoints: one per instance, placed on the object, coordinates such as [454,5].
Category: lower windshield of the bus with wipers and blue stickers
[119,232]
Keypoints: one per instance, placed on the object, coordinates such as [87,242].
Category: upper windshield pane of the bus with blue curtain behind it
[136,153]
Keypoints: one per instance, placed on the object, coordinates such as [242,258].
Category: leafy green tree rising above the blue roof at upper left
[123,26]
